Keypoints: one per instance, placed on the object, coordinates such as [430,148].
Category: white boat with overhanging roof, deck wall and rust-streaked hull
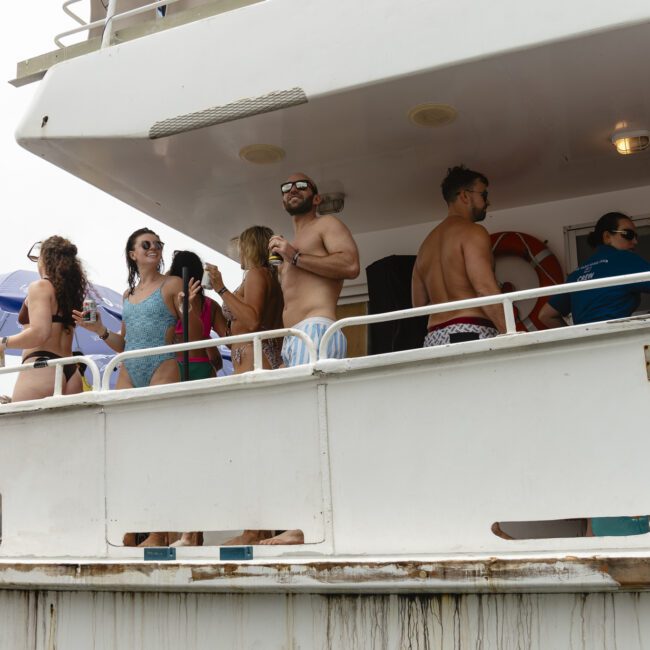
[443,493]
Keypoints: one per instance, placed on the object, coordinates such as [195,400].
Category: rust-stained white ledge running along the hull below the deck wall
[492,574]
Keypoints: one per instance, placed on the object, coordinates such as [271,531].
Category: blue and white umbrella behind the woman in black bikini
[13,290]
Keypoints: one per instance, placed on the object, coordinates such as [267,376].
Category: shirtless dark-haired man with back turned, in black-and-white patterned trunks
[455,263]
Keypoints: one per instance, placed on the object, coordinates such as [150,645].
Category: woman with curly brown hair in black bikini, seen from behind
[46,317]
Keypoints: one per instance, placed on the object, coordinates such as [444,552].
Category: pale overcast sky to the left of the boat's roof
[38,199]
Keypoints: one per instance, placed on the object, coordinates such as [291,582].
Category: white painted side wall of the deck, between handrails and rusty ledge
[418,452]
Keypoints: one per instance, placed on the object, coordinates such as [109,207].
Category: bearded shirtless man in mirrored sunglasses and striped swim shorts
[321,255]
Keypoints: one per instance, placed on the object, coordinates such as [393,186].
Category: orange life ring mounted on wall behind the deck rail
[546,266]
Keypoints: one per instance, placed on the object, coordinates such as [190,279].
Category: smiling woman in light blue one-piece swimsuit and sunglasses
[152,306]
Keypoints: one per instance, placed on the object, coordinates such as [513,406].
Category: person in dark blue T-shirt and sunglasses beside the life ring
[615,239]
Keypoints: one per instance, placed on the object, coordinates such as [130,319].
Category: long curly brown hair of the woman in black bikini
[64,270]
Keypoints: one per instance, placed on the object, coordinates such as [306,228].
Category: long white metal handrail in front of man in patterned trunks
[506,299]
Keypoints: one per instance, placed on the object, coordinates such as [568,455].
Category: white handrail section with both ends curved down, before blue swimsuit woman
[255,337]
